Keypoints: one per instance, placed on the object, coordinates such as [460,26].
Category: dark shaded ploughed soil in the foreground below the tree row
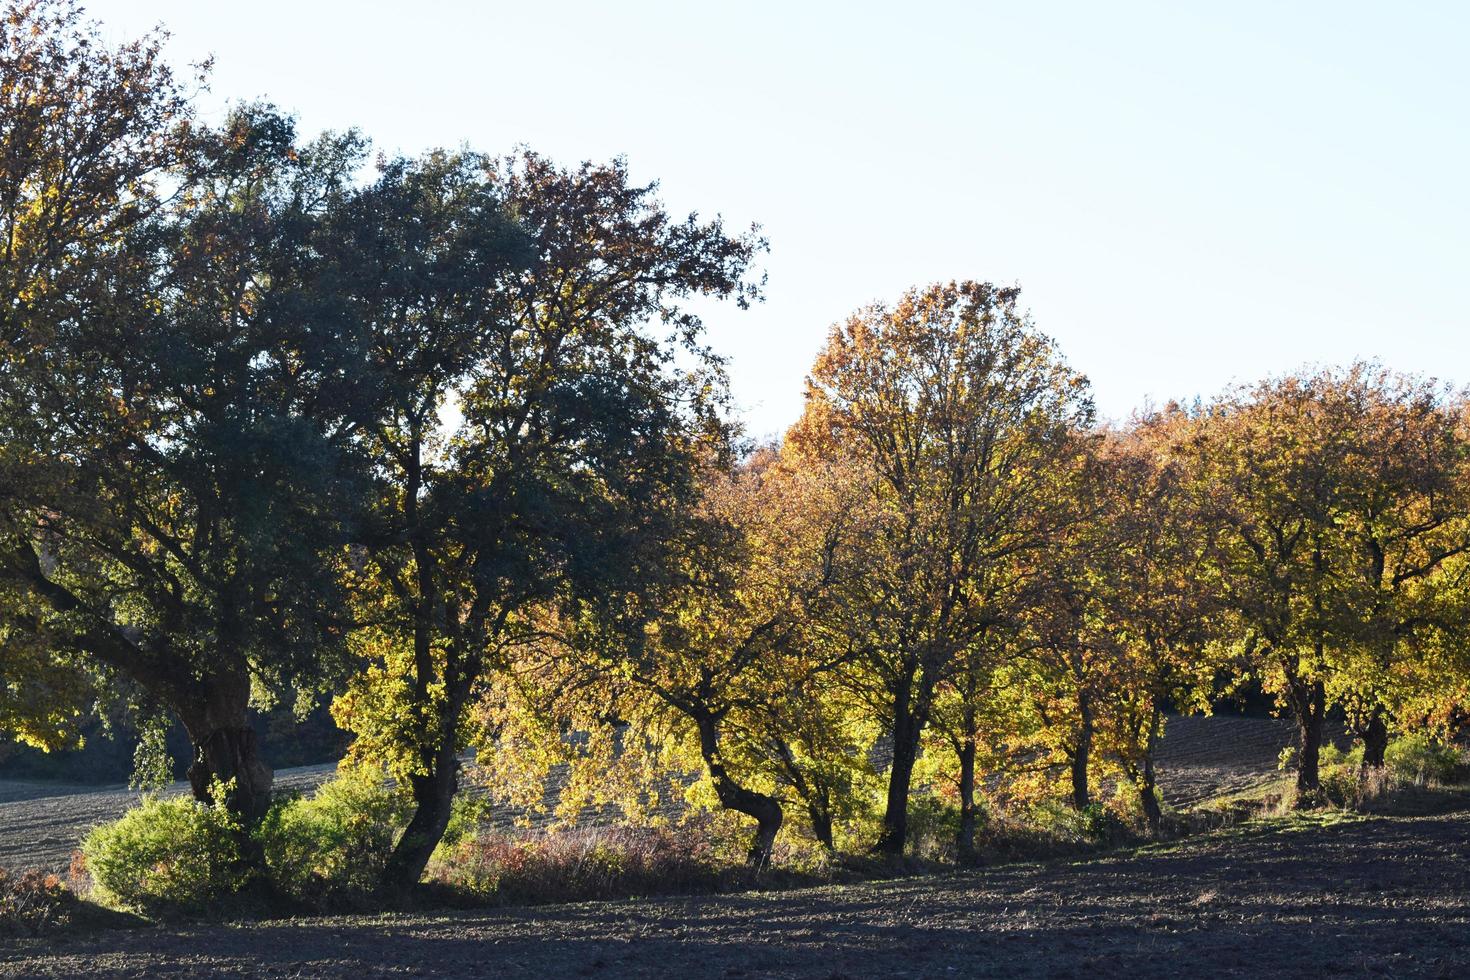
[1369,897]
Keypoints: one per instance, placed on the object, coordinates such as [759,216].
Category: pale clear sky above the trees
[1188,193]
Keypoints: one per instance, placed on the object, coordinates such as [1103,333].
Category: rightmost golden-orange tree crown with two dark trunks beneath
[1341,499]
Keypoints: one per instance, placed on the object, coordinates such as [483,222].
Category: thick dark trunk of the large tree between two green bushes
[217,718]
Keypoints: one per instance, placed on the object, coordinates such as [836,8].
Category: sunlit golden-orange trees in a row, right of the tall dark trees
[950,562]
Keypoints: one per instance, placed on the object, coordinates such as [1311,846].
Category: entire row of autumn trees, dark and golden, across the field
[448,446]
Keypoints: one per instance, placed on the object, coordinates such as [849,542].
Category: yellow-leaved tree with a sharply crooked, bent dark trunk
[725,675]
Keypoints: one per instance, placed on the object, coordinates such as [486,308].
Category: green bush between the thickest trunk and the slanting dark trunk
[331,849]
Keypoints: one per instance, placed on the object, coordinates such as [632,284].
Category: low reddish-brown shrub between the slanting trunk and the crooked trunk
[581,865]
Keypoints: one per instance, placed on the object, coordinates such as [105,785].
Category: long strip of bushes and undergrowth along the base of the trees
[327,851]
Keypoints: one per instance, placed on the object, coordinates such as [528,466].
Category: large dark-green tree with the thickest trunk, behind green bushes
[173,477]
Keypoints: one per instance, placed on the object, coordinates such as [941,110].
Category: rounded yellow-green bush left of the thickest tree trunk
[168,857]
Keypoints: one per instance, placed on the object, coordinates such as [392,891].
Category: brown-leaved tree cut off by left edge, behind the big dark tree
[86,134]
